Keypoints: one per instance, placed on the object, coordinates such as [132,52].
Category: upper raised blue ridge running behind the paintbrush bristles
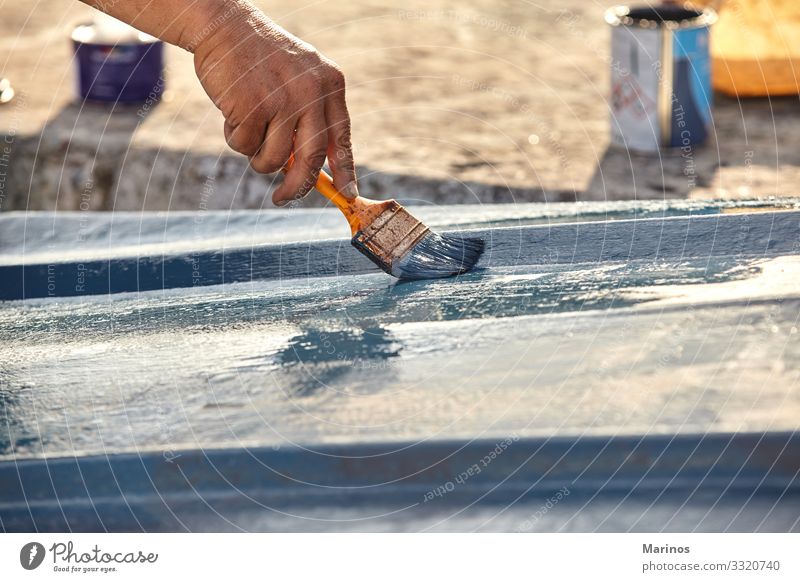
[767,234]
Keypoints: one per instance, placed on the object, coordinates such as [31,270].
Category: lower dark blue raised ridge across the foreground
[747,463]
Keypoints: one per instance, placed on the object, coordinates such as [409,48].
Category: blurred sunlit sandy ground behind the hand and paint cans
[487,102]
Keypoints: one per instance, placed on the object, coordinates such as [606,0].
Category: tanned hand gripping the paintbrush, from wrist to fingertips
[279,96]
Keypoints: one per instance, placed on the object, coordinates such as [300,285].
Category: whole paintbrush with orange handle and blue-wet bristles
[397,242]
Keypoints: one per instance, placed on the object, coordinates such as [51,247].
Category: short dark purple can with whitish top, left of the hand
[116,63]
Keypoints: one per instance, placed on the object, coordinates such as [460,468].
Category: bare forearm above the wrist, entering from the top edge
[184,23]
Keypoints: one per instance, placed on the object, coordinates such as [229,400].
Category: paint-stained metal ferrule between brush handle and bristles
[389,237]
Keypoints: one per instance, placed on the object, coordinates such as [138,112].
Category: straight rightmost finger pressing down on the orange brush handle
[340,149]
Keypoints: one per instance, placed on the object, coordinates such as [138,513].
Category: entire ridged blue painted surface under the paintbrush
[648,366]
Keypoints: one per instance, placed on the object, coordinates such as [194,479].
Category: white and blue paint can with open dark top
[660,76]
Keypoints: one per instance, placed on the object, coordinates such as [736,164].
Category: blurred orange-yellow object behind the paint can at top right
[755,47]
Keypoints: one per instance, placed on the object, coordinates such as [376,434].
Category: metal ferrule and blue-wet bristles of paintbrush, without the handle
[404,247]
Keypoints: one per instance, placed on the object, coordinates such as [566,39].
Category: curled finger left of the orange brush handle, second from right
[310,146]
